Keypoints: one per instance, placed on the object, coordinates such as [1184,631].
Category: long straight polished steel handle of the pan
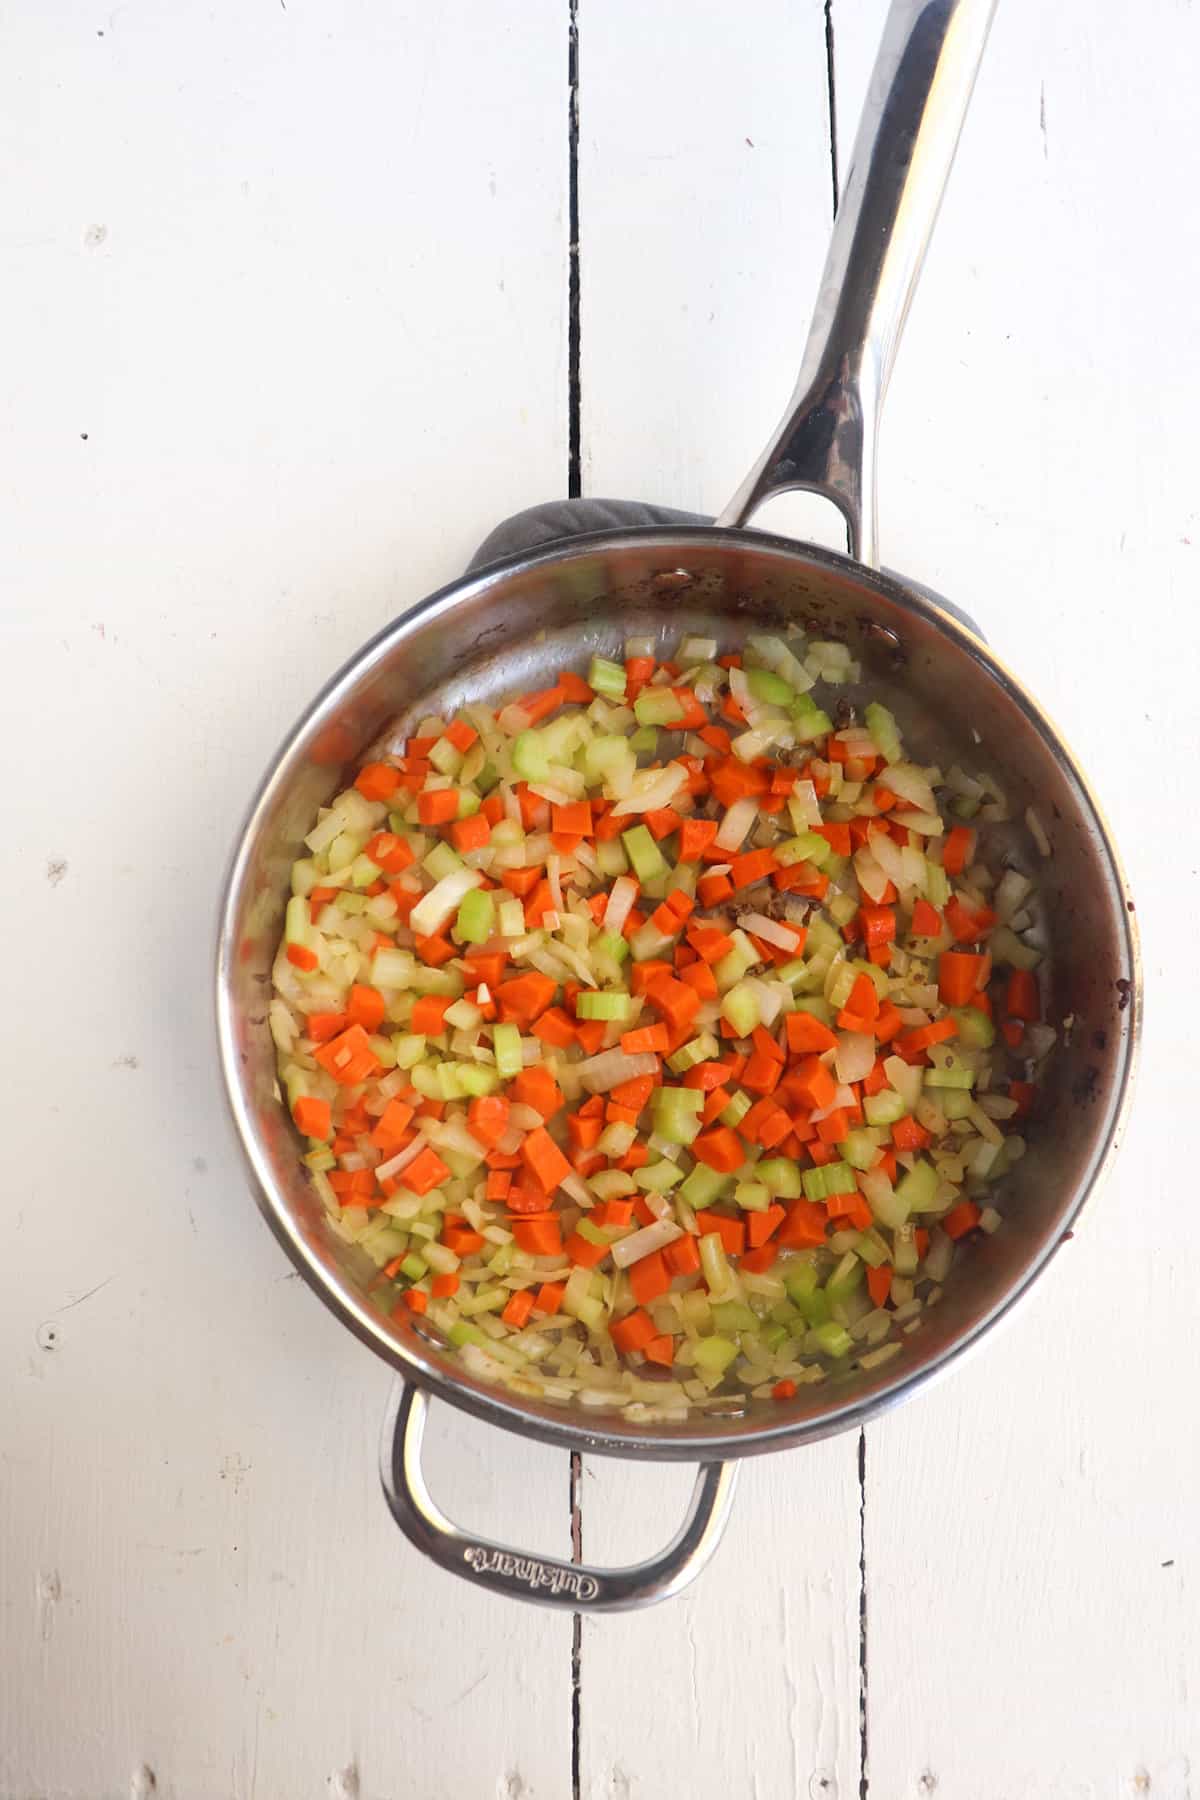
[908,136]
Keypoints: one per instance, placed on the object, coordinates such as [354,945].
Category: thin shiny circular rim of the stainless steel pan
[497,1405]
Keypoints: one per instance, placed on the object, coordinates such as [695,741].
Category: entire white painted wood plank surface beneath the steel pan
[287,305]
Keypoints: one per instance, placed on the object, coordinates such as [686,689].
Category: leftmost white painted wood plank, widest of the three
[285,303]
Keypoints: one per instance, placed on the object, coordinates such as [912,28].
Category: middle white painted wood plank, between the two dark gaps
[706,204]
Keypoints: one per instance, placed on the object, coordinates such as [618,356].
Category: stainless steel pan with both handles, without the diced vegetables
[510,625]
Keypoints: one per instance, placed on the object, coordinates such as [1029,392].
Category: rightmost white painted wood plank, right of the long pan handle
[1032,1536]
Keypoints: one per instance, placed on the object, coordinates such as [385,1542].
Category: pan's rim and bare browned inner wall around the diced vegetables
[512,629]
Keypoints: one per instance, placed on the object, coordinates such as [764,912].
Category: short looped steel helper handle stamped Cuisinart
[571,1587]
